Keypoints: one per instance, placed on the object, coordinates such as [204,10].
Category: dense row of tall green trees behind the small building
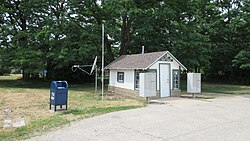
[206,36]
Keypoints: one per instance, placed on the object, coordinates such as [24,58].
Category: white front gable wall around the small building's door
[173,65]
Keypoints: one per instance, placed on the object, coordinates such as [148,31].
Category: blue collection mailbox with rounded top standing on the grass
[58,94]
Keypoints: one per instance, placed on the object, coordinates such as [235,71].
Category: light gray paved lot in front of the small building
[222,118]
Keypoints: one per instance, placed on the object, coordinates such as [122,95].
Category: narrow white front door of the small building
[164,80]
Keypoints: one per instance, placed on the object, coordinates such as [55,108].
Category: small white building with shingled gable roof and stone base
[124,73]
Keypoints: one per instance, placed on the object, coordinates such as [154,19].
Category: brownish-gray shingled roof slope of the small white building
[136,61]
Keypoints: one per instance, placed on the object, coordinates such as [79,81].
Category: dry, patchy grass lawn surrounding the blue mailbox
[30,100]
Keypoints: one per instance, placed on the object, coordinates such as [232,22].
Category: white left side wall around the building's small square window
[128,79]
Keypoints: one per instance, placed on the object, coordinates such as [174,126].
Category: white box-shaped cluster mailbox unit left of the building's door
[147,84]
